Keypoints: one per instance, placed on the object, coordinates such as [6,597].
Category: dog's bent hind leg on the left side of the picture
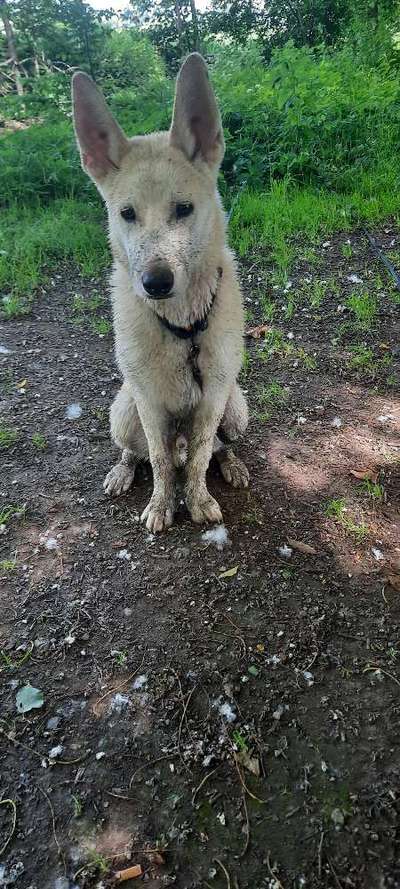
[127,433]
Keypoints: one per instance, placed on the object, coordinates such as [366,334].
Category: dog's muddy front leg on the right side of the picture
[201,505]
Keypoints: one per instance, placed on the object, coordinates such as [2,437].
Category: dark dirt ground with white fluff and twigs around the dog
[222,717]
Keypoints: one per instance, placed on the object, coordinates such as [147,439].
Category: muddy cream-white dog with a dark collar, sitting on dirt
[177,305]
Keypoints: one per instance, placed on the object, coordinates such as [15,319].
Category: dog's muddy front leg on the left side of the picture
[159,512]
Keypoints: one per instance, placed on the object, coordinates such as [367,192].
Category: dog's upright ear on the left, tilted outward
[101,141]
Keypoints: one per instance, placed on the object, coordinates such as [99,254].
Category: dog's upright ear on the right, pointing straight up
[196,122]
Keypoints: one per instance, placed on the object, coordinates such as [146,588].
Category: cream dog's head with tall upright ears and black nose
[160,190]
